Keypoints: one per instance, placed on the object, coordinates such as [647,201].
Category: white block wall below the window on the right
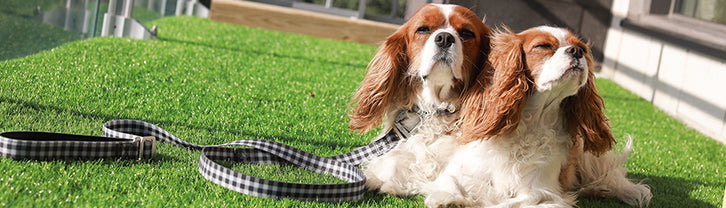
[686,84]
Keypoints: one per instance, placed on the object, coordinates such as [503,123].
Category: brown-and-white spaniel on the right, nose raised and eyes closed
[534,130]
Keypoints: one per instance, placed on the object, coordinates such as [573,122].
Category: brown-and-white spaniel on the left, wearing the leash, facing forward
[421,69]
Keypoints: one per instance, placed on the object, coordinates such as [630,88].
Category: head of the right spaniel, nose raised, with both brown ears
[549,62]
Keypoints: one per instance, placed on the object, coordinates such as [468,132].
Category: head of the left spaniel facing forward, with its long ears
[430,60]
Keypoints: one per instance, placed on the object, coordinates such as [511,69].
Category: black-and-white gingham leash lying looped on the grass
[133,139]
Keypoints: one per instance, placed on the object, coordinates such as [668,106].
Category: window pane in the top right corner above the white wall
[709,10]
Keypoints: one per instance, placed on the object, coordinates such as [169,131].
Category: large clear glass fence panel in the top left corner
[31,26]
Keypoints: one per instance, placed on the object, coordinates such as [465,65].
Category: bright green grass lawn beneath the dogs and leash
[211,83]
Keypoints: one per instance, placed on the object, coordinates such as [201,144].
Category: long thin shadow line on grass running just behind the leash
[240,134]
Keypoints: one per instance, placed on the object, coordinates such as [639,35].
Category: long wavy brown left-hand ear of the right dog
[494,104]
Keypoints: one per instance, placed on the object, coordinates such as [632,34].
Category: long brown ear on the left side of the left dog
[382,84]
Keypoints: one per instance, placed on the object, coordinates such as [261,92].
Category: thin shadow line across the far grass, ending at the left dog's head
[273,54]
